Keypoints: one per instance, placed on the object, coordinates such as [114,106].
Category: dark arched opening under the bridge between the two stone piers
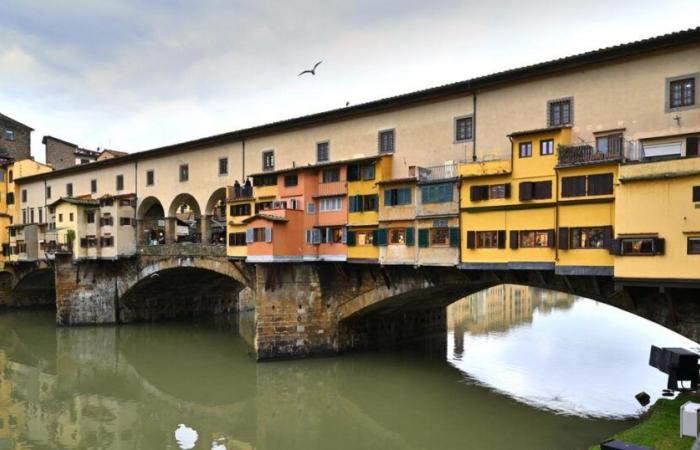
[179,293]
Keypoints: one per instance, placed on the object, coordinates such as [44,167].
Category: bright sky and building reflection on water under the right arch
[556,351]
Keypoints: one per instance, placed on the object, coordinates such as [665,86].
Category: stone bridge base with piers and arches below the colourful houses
[304,309]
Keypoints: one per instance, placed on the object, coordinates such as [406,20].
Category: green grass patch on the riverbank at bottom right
[659,429]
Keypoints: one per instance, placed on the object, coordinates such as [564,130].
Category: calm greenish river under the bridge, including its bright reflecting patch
[519,368]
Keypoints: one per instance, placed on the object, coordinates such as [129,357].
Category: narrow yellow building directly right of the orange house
[363,201]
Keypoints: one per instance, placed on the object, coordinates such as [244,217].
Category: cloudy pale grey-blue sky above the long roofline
[132,75]
